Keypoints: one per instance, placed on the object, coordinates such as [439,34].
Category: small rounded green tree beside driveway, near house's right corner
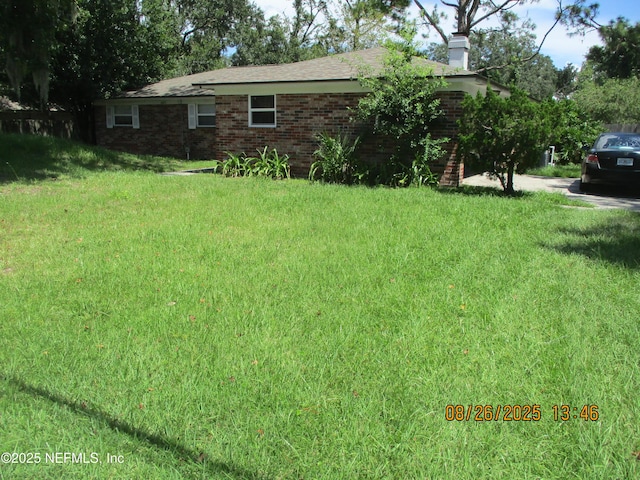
[504,135]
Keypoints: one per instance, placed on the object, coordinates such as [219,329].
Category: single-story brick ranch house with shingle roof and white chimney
[241,109]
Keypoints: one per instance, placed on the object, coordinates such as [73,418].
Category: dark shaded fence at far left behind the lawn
[55,124]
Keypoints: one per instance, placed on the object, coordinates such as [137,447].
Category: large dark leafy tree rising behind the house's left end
[112,46]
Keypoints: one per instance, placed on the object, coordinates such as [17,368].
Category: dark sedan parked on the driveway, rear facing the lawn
[613,159]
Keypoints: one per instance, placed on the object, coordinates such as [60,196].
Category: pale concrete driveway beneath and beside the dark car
[603,197]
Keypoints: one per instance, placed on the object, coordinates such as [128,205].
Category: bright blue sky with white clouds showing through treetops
[562,48]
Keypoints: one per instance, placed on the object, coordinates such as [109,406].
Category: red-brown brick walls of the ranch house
[300,117]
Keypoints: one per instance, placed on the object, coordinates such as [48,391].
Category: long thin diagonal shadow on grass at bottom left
[182,453]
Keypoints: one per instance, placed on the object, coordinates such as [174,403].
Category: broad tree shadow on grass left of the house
[32,158]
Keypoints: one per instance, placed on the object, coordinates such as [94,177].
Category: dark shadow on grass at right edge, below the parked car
[615,241]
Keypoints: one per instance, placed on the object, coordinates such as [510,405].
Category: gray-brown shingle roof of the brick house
[345,66]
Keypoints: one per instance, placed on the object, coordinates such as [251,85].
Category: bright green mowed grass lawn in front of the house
[201,327]
